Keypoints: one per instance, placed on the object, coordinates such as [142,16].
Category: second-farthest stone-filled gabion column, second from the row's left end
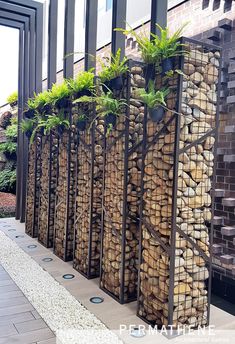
[49,152]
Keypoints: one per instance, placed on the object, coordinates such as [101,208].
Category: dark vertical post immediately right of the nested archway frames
[52,43]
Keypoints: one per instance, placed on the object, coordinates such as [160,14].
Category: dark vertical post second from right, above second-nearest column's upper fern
[118,21]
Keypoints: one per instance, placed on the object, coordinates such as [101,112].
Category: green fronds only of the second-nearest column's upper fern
[113,67]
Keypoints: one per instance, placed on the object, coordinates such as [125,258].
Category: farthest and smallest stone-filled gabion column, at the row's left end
[33,188]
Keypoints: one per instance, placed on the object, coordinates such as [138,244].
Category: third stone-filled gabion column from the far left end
[65,194]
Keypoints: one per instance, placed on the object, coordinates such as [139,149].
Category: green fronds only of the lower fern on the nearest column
[153,98]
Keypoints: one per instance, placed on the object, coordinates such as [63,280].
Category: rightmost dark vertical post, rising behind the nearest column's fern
[158,15]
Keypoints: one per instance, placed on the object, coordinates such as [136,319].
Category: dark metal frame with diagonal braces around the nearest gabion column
[170,248]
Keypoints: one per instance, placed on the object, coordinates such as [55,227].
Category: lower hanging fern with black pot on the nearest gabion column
[155,101]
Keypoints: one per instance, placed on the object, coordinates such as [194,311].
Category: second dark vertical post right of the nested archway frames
[69,38]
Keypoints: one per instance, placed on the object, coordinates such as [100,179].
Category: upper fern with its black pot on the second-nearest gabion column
[111,75]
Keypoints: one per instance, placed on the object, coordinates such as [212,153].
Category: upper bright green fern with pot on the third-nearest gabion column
[83,85]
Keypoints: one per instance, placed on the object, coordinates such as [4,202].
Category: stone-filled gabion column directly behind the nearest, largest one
[120,234]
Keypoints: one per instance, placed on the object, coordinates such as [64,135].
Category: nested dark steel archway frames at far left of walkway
[30,78]
